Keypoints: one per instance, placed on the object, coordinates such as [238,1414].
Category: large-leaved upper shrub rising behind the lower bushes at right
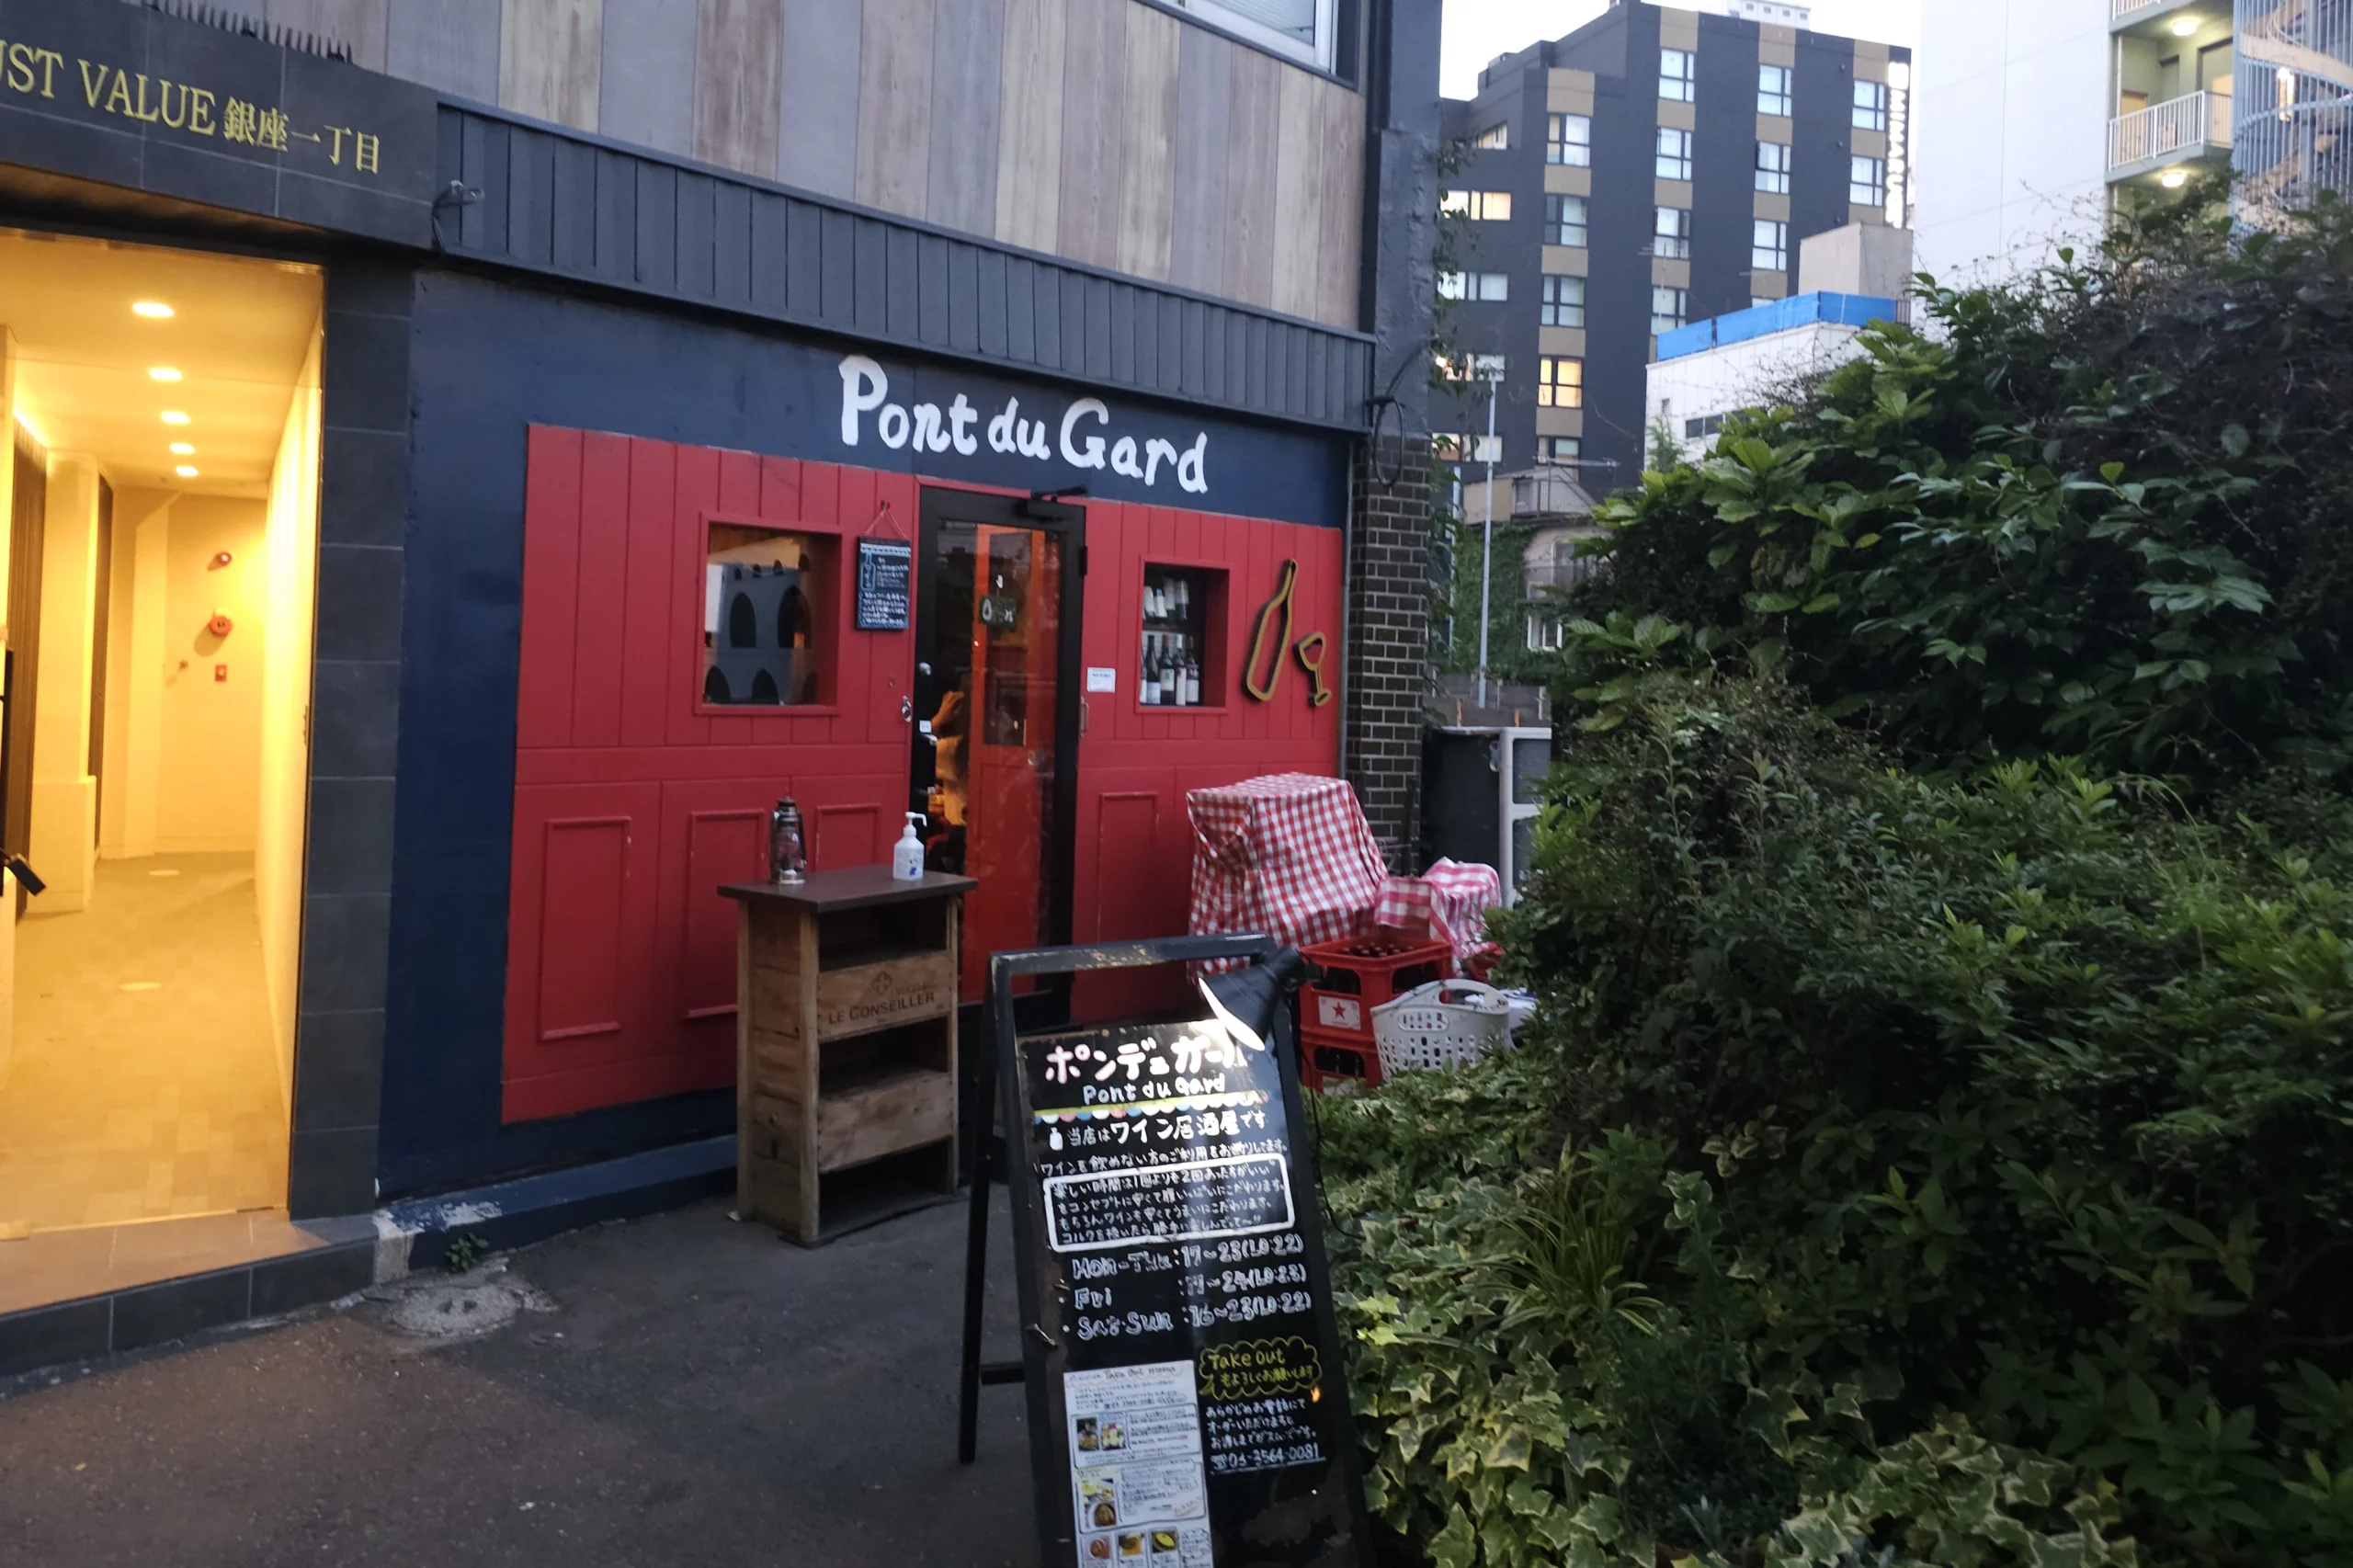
[2100,512]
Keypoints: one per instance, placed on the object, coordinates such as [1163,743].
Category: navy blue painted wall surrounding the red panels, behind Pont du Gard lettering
[486,364]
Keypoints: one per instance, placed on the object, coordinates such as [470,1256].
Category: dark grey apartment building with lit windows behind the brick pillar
[1648,171]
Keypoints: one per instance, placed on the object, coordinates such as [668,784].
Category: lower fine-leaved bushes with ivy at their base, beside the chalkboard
[1931,1171]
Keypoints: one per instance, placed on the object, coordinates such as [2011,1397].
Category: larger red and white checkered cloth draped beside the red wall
[1288,856]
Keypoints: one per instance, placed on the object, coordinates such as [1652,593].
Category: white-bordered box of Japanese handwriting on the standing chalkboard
[1189,1202]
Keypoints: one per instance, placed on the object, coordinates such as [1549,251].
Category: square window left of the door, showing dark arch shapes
[768,599]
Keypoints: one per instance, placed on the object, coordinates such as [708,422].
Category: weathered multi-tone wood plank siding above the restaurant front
[1109,133]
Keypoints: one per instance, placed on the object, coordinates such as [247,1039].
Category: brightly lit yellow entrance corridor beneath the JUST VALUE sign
[161,554]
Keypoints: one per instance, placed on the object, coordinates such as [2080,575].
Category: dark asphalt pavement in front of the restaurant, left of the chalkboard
[674,1390]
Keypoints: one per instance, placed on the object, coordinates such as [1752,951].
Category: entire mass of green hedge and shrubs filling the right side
[1933,1145]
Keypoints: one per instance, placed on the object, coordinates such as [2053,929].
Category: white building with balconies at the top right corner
[2041,119]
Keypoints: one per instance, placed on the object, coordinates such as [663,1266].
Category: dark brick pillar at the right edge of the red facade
[1389,642]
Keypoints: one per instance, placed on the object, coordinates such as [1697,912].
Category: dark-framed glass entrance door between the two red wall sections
[996,715]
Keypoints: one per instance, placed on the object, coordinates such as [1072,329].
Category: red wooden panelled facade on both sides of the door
[634,802]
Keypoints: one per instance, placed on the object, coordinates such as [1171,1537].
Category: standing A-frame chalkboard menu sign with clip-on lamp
[1187,1395]
